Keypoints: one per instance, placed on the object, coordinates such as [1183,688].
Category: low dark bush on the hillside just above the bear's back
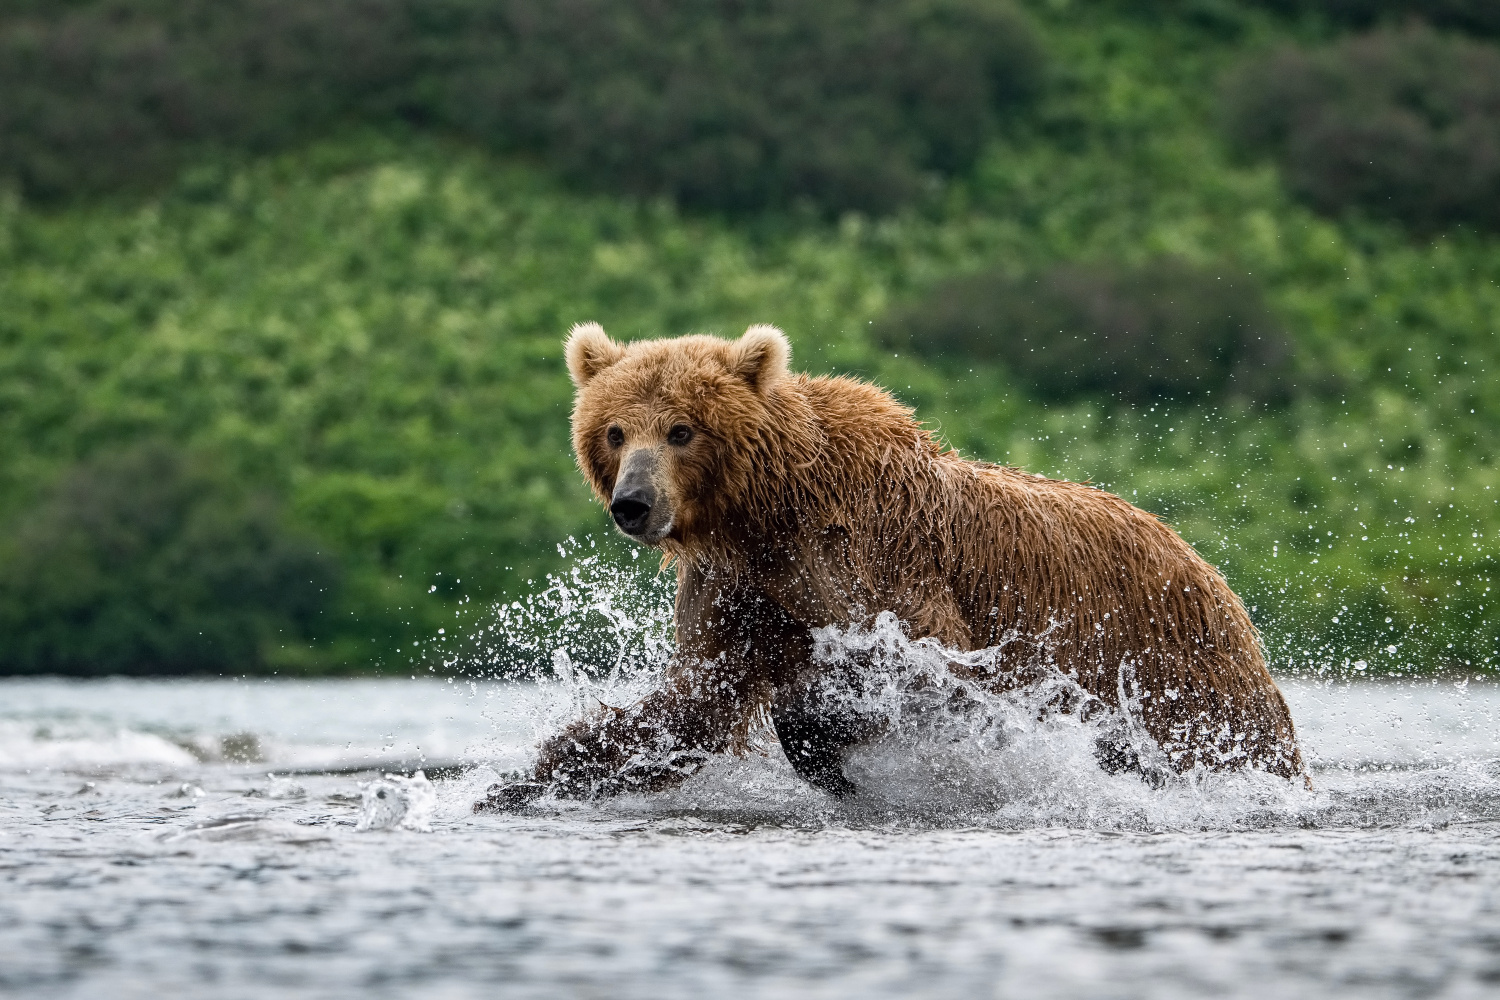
[1165,329]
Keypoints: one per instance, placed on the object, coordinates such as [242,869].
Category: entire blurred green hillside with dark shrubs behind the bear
[281,385]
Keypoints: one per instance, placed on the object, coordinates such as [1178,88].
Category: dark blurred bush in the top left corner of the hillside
[112,94]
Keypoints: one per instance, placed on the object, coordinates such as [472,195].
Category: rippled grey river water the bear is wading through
[176,839]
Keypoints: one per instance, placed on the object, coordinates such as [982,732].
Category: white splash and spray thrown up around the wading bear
[953,750]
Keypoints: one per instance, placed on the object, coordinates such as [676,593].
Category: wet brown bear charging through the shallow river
[791,503]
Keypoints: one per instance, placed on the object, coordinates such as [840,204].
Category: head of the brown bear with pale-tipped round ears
[676,436]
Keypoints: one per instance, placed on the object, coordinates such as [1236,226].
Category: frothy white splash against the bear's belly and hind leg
[958,752]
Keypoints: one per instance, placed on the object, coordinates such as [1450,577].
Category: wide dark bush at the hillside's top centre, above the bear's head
[740,106]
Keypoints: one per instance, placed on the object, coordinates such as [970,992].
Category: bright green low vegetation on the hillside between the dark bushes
[365,332]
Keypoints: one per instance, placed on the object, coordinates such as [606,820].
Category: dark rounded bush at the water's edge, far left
[154,563]
